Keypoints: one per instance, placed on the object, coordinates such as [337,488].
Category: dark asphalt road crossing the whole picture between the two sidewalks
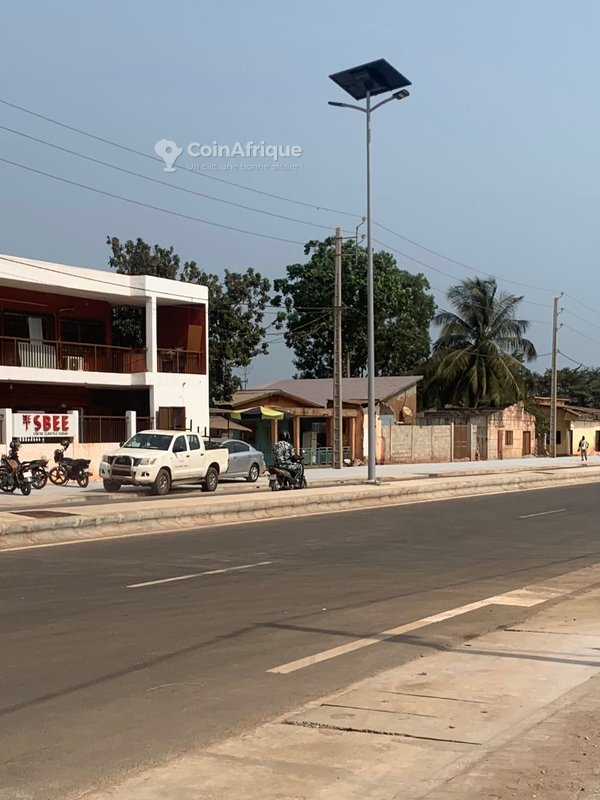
[100,677]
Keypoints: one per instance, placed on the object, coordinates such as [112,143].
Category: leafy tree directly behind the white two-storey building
[235,309]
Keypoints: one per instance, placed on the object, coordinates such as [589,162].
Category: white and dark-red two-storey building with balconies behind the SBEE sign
[57,352]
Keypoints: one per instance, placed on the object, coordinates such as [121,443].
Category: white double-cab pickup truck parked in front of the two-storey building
[159,458]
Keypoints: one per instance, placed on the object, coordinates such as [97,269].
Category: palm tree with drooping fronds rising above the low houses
[478,358]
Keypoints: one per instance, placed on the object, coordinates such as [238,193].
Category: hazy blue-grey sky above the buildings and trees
[493,161]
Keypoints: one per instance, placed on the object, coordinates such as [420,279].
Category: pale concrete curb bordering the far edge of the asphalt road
[100,522]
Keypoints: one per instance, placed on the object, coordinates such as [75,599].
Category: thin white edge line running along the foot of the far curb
[196,528]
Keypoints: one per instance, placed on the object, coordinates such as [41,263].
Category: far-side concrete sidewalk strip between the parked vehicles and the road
[35,523]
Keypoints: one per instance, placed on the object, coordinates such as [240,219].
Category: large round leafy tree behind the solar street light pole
[403,312]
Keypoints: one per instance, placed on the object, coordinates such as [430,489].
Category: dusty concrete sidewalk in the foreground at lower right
[511,714]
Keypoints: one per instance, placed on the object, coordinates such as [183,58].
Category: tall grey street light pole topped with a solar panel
[363,83]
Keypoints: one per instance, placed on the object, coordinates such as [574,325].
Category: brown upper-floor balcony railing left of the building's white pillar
[71,356]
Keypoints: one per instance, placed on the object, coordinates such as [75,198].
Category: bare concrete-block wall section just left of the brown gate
[406,444]
